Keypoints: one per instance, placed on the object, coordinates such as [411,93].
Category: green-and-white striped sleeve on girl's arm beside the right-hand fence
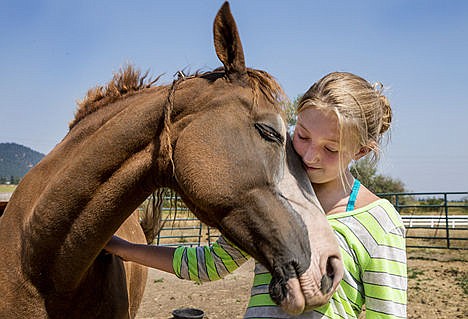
[384,277]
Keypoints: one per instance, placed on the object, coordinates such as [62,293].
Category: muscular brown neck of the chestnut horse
[94,179]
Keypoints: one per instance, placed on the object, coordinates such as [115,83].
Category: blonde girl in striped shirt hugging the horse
[341,118]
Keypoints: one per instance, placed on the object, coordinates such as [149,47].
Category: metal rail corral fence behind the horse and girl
[432,220]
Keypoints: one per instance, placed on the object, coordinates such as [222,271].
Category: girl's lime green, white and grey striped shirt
[372,245]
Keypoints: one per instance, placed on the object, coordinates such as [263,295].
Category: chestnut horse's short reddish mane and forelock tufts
[130,80]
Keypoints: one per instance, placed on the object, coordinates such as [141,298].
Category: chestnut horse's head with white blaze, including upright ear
[236,169]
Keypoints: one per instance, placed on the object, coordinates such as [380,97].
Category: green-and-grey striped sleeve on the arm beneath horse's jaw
[208,263]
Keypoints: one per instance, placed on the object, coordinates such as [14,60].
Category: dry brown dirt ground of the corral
[437,288]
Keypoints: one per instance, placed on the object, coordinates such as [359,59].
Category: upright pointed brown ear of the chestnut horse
[228,45]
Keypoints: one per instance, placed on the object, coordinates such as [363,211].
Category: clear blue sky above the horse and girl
[52,52]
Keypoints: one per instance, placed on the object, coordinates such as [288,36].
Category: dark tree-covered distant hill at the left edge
[16,160]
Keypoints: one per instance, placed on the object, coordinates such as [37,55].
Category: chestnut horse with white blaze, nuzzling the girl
[217,138]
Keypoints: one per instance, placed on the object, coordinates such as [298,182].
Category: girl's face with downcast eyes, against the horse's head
[316,140]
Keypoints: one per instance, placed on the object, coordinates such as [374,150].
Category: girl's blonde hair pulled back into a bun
[364,113]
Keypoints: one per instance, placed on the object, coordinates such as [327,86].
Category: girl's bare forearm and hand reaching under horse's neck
[158,257]
